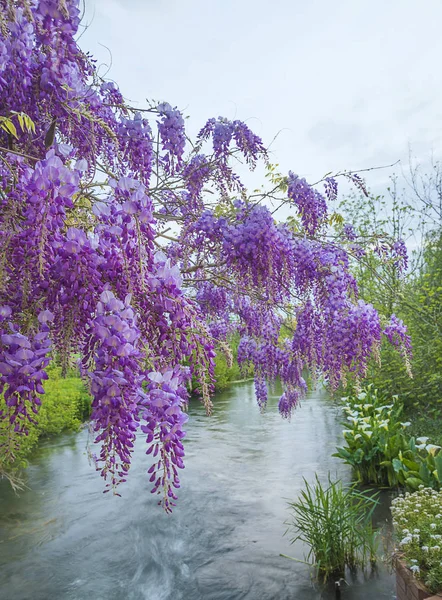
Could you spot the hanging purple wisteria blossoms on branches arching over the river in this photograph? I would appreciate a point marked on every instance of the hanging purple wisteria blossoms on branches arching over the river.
(122, 243)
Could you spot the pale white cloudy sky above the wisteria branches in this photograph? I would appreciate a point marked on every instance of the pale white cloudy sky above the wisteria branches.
(348, 84)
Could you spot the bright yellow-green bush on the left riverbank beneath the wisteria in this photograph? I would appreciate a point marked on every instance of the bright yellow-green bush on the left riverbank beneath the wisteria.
(66, 406)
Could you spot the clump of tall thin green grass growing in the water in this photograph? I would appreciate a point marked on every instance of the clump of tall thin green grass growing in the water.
(335, 522)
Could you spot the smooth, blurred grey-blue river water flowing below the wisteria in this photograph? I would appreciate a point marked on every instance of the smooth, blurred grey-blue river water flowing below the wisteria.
(63, 539)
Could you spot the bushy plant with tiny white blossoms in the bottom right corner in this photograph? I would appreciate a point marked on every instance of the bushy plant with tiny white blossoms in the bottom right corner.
(417, 522)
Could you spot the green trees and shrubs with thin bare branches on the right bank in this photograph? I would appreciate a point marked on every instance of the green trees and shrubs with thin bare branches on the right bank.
(416, 299)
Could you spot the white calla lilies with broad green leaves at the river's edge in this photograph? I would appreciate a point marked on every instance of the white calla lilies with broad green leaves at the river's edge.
(379, 448)
